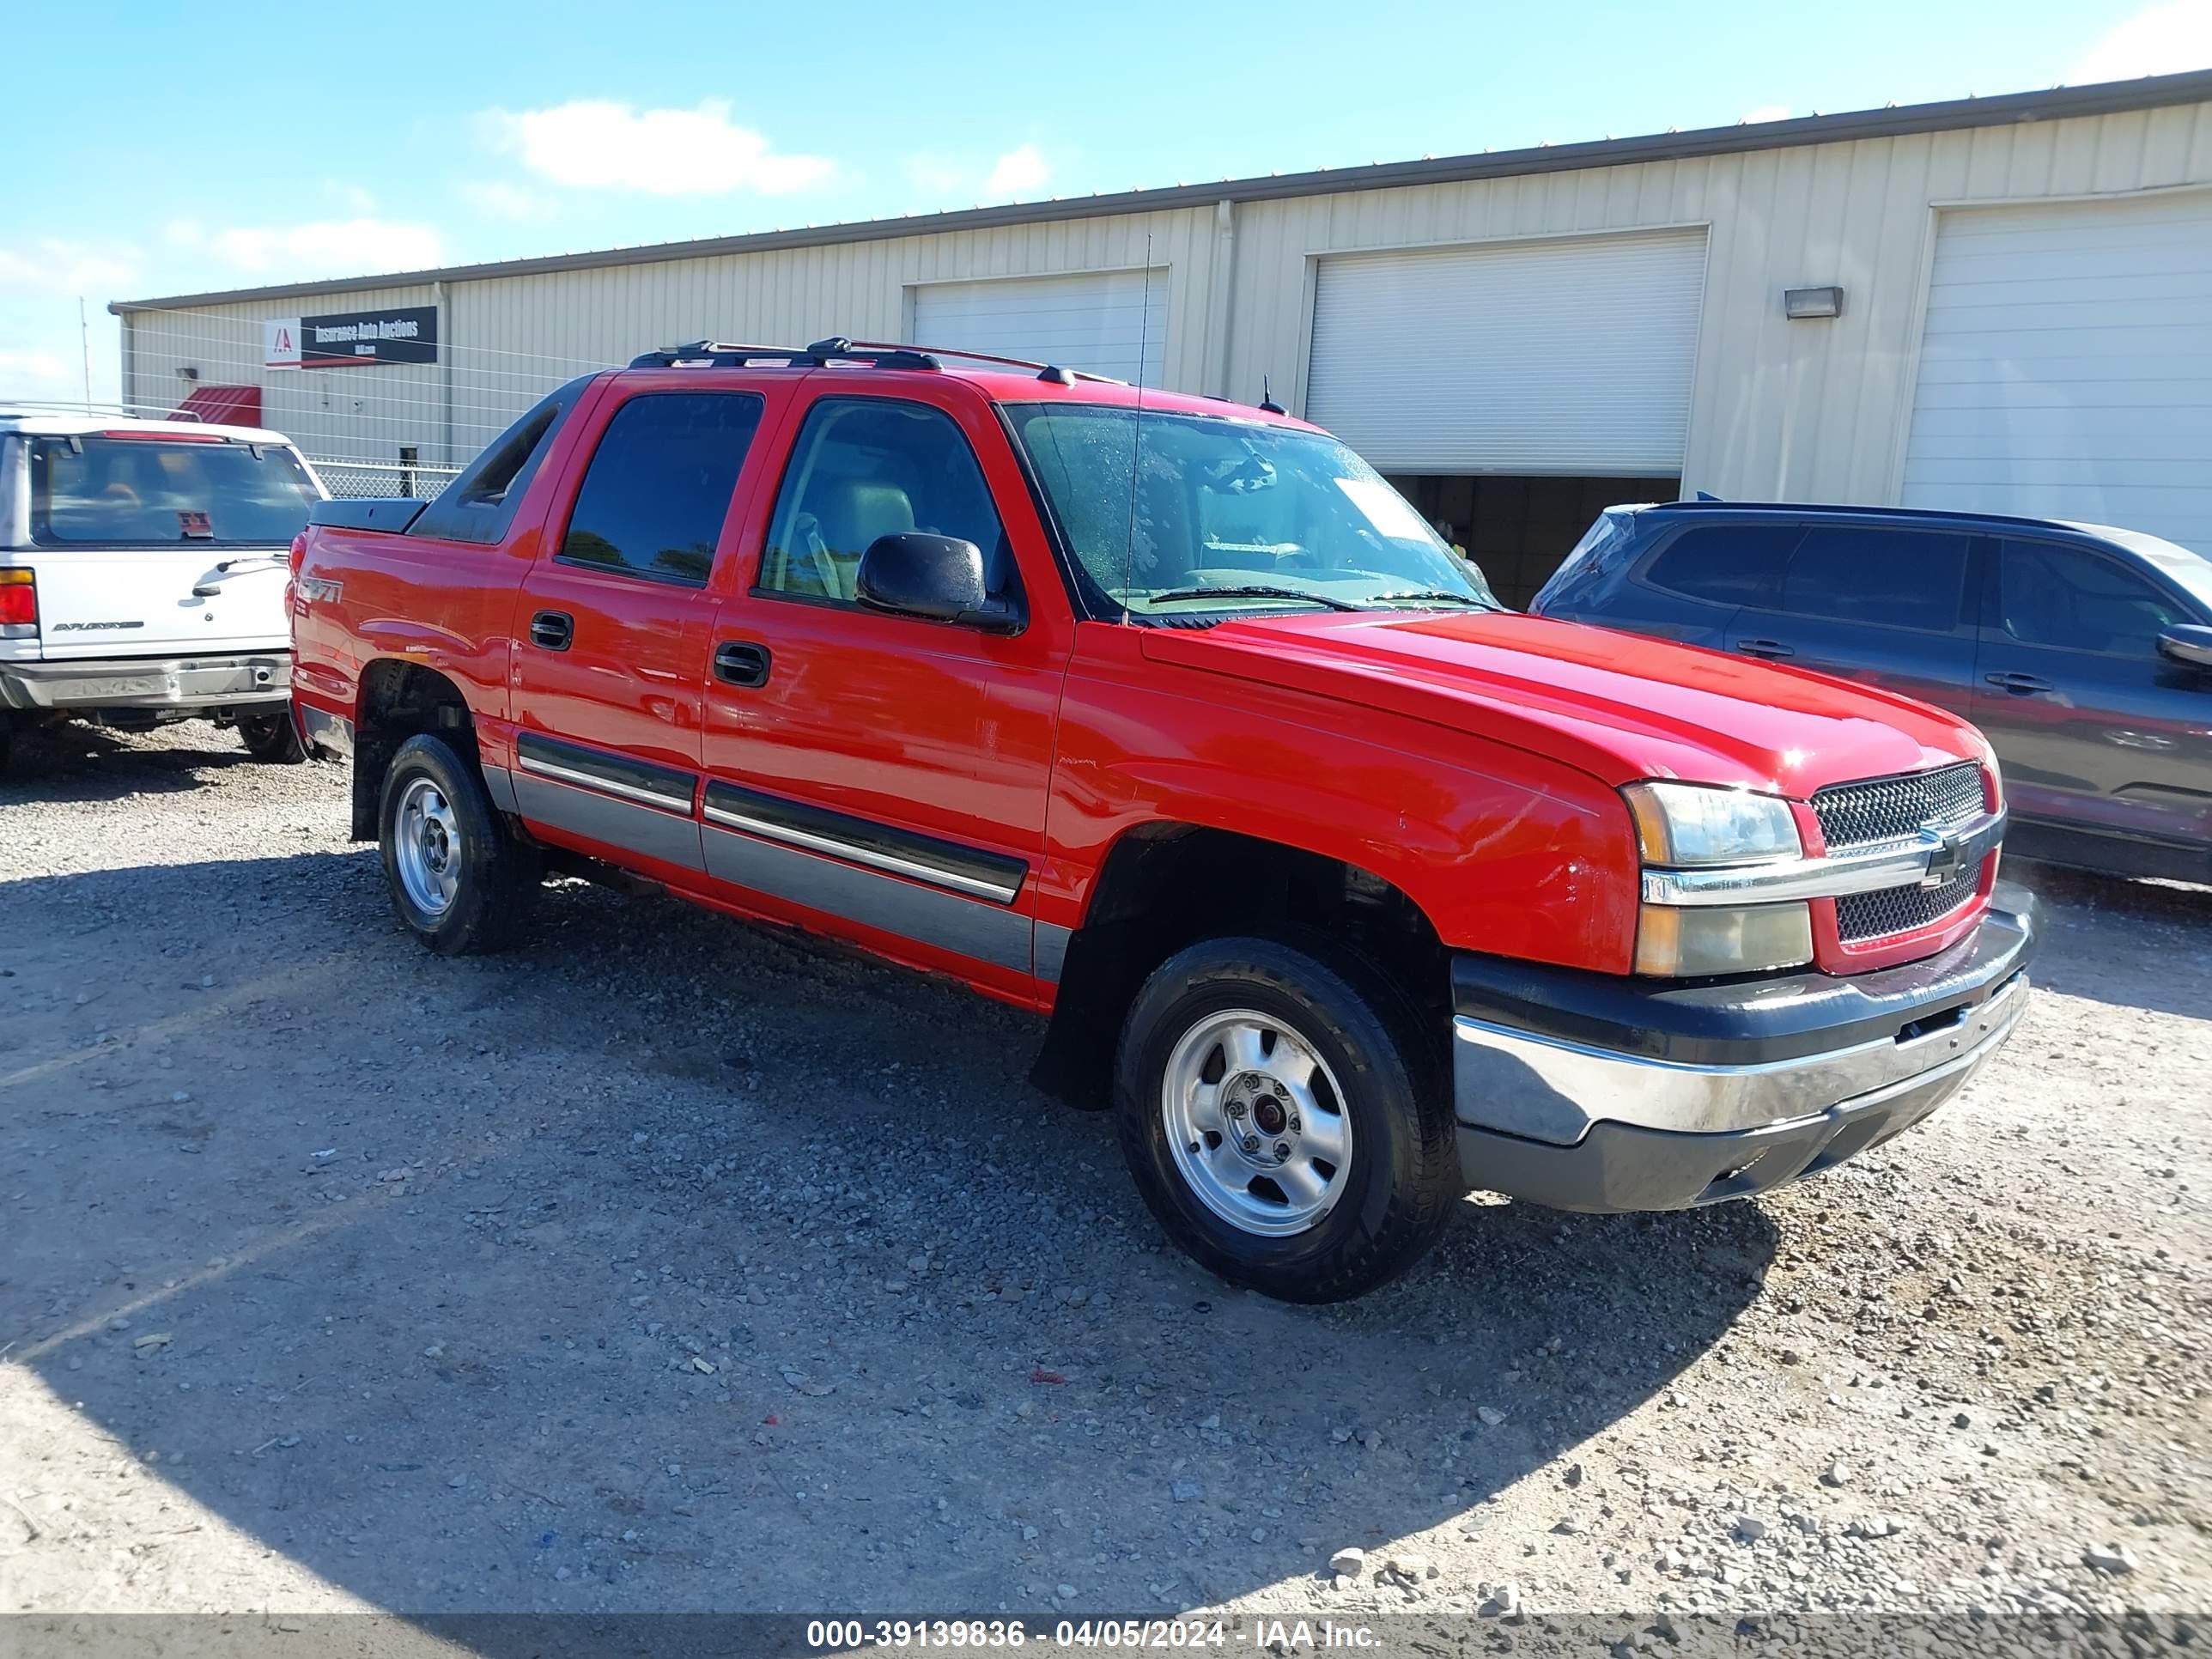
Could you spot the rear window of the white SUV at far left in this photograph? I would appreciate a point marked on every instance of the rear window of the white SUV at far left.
(152, 492)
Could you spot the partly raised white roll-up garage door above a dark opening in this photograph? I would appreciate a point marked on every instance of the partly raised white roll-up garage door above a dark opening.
(1527, 357)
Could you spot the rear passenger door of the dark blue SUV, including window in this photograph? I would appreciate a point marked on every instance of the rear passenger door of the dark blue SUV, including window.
(1886, 607)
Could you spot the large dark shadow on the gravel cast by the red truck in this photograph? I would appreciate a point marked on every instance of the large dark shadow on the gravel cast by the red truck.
(678, 1266)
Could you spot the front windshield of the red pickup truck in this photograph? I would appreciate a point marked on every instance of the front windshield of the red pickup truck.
(1220, 514)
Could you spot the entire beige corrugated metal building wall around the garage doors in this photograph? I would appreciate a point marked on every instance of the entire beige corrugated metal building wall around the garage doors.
(1795, 410)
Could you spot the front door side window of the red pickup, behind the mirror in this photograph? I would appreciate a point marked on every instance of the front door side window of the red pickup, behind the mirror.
(868, 468)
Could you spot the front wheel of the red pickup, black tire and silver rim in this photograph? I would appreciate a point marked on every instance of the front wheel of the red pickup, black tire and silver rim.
(1379, 1209)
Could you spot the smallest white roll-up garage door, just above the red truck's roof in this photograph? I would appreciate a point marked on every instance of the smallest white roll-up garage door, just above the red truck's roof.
(1103, 322)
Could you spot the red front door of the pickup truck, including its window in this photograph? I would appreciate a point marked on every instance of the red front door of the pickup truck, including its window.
(870, 775)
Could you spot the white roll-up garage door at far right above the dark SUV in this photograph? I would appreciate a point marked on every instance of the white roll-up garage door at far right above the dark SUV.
(2067, 366)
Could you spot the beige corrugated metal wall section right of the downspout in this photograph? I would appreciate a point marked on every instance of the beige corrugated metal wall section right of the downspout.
(1780, 410)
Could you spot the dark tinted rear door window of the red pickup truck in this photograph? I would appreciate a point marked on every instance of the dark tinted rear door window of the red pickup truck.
(660, 486)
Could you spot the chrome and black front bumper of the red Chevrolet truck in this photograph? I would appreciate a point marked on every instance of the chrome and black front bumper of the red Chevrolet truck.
(1603, 1094)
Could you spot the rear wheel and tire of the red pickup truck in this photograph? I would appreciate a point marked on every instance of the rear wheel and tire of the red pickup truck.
(452, 848)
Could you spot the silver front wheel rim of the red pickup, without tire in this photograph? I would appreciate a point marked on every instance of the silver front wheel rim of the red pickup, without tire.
(1258, 1125)
